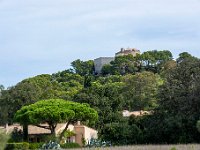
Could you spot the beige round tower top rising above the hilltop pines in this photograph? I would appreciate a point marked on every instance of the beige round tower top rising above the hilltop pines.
(127, 51)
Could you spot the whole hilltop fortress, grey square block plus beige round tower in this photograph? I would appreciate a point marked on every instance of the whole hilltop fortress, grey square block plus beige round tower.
(101, 61)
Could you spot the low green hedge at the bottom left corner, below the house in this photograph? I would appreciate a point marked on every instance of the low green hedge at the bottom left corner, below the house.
(17, 146)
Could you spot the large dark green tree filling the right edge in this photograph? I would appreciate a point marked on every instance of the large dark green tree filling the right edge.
(179, 103)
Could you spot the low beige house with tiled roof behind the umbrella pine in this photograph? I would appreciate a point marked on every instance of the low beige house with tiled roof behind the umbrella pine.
(36, 134)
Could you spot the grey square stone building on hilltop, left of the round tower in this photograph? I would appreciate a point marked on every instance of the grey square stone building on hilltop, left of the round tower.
(100, 62)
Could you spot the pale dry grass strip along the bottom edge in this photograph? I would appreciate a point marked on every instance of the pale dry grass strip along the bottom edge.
(150, 147)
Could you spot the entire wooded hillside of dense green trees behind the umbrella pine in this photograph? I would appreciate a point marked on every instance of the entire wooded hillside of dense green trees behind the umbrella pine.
(152, 81)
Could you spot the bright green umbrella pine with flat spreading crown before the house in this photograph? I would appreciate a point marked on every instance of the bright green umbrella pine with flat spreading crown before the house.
(54, 111)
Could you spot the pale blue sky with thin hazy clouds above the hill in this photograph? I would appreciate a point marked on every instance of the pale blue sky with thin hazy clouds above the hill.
(45, 36)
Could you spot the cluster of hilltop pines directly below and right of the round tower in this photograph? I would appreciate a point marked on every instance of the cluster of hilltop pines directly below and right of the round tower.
(148, 61)
